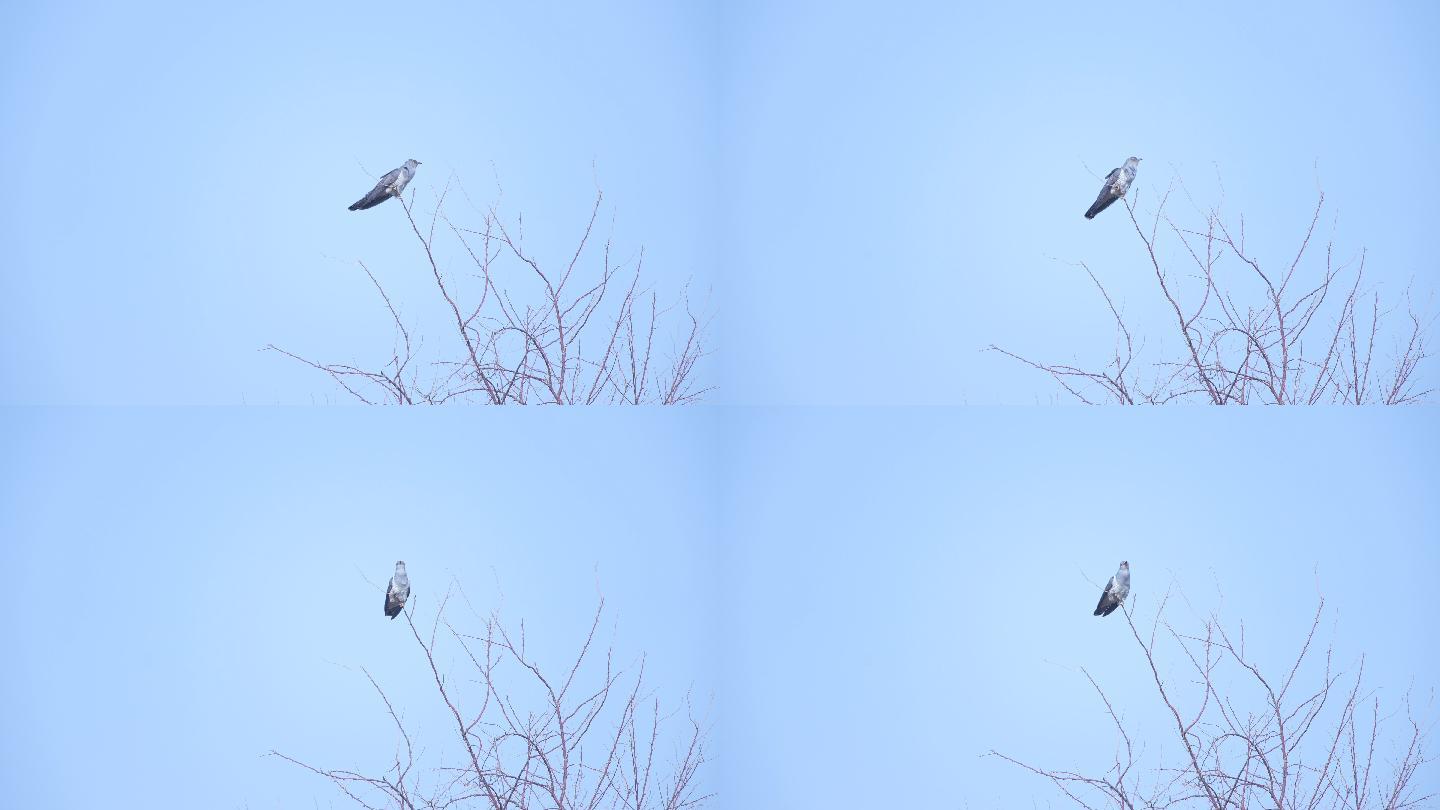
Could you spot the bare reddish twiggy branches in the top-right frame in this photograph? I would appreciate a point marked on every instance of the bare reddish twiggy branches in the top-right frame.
(1251, 329)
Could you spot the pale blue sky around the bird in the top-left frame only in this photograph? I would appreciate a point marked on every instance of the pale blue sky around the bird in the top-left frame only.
(179, 175)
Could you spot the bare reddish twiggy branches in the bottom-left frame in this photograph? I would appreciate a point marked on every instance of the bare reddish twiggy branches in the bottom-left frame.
(588, 737)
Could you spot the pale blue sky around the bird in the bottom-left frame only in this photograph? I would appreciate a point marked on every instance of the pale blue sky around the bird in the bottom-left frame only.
(189, 589)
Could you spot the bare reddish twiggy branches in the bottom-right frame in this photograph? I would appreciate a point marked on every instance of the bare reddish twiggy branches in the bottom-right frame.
(1251, 739)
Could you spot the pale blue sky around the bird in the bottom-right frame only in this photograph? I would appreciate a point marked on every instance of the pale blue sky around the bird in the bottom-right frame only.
(911, 590)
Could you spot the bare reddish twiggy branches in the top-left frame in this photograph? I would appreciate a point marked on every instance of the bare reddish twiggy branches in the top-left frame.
(522, 329)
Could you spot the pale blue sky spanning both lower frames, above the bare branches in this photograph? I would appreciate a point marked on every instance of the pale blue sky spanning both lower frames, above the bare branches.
(853, 593)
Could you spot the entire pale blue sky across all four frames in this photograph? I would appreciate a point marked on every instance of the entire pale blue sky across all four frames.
(872, 195)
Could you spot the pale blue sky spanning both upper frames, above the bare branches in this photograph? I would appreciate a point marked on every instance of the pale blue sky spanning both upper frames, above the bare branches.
(872, 194)
